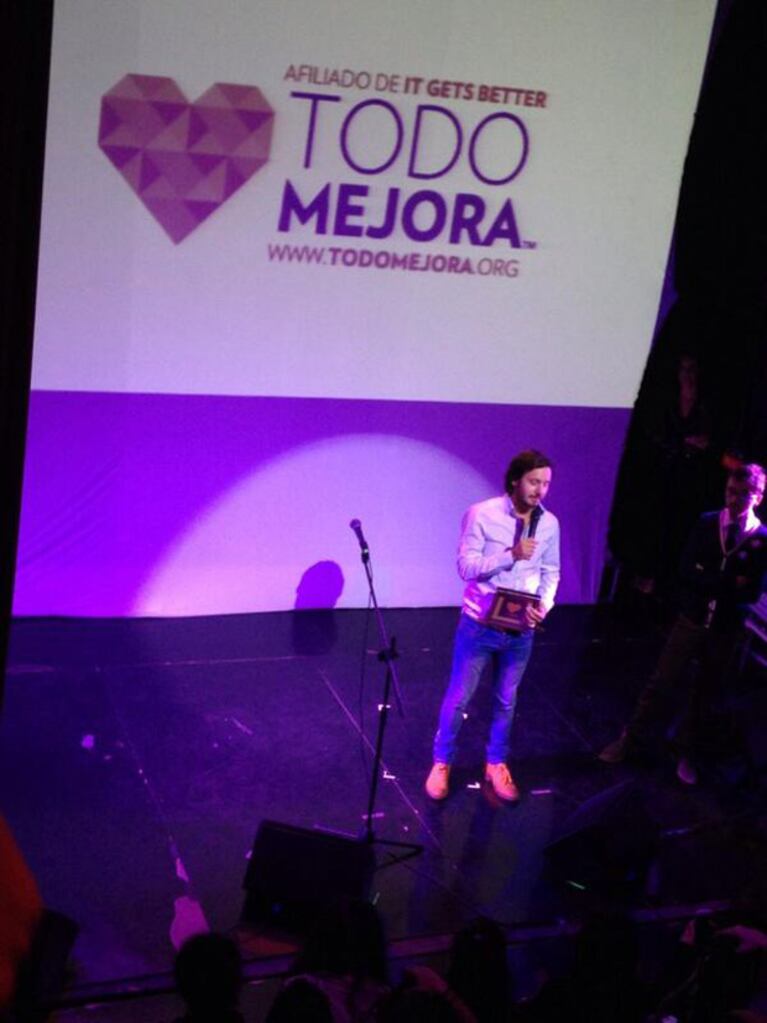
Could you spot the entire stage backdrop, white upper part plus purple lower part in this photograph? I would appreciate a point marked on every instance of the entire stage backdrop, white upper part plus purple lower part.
(303, 262)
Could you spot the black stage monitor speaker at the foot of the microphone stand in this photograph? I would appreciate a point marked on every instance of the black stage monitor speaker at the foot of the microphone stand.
(296, 873)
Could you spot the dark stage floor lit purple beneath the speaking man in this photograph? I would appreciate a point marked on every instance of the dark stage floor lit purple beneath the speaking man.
(140, 757)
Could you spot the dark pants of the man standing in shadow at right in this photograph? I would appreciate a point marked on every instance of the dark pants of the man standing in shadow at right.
(715, 653)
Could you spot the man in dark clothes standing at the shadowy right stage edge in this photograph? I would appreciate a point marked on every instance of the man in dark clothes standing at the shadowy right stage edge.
(723, 572)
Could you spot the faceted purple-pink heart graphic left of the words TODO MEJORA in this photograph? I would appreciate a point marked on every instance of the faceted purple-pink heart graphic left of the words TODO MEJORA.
(185, 160)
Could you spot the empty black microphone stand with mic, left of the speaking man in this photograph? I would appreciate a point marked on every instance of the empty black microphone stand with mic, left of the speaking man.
(387, 655)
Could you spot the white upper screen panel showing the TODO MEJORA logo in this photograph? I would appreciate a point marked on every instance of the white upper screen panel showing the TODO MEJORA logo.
(414, 201)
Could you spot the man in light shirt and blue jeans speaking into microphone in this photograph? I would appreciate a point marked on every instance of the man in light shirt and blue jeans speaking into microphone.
(512, 543)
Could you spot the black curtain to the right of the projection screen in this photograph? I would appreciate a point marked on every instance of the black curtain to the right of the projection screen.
(673, 468)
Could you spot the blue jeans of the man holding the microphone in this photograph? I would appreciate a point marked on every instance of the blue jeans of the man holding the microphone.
(476, 646)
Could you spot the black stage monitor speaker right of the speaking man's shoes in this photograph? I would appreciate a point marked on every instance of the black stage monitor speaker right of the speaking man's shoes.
(607, 846)
